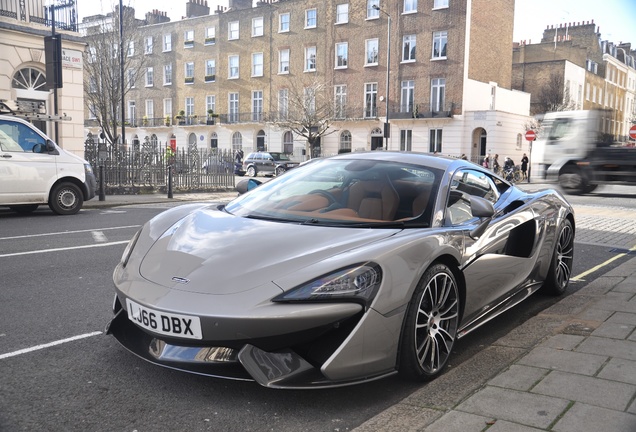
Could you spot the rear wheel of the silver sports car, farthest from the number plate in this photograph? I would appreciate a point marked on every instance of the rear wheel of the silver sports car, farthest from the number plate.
(558, 276)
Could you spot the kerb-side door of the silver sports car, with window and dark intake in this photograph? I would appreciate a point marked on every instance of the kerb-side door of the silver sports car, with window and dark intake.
(499, 260)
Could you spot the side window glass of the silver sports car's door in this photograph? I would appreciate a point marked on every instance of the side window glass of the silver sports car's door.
(467, 183)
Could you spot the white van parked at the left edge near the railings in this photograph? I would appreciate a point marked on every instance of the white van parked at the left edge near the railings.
(35, 171)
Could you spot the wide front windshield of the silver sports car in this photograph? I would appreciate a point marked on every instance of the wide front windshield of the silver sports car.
(345, 192)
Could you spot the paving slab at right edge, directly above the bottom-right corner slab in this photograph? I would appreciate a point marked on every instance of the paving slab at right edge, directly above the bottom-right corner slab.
(590, 390)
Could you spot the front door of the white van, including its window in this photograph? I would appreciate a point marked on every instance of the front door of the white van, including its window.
(26, 169)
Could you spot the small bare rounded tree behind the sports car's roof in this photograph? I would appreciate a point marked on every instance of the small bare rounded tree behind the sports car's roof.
(308, 112)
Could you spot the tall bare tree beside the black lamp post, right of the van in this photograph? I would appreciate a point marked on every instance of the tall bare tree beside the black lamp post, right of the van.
(102, 69)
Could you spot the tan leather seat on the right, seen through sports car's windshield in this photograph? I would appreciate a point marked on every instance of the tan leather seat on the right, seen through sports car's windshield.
(374, 199)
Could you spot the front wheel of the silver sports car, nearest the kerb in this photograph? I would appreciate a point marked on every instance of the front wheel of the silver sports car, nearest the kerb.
(430, 325)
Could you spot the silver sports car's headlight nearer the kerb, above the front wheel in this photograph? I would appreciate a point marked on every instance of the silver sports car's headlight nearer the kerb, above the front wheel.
(359, 283)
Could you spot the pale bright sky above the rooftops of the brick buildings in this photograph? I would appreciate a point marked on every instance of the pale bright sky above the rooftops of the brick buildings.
(616, 18)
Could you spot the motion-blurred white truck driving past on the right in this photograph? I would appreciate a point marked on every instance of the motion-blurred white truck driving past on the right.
(572, 150)
